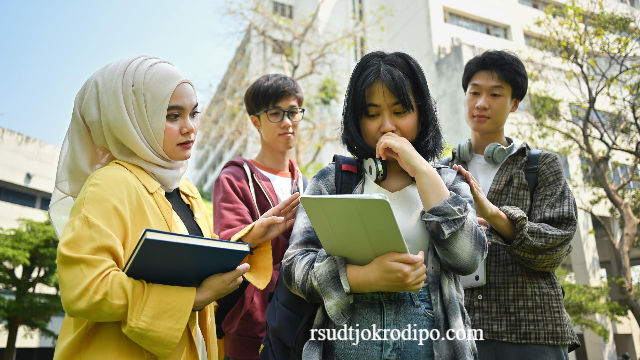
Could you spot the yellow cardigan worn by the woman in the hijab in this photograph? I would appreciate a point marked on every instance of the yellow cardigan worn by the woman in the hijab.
(112, 316)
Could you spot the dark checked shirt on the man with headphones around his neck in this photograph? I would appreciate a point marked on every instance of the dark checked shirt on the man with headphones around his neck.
(522, 300)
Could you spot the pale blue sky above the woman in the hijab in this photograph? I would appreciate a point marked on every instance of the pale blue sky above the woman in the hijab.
(48, 49)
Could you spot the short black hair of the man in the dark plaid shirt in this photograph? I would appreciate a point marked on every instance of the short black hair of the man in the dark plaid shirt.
(506, 65)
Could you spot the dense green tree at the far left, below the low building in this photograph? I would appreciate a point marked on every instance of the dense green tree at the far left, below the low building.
(27, 262)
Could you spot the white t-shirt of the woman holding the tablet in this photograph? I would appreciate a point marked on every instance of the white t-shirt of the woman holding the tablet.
(406, 206)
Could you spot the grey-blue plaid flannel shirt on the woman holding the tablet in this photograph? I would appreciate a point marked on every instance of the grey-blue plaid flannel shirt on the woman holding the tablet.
(457, 246)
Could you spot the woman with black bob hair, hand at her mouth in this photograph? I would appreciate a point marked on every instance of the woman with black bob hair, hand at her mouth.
(389, 307)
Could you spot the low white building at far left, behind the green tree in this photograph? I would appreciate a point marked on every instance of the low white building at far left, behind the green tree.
(27, 176)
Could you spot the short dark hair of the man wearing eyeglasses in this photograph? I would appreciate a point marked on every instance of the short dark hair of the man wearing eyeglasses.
(268, 90)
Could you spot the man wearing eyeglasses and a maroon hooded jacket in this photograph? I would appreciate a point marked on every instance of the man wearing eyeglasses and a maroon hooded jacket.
(246, 189)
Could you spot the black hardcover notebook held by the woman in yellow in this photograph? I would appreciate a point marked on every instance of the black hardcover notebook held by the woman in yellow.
(182, 260)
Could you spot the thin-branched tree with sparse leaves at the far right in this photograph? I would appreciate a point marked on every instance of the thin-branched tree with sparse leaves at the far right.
(594, 55)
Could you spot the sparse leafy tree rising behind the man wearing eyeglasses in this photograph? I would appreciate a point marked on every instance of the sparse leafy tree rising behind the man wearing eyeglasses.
(312, 54)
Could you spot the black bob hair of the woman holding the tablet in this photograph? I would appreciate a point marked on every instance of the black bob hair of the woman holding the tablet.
(403, 76)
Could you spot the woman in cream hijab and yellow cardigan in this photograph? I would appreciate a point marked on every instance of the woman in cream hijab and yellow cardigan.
(120, 171)
